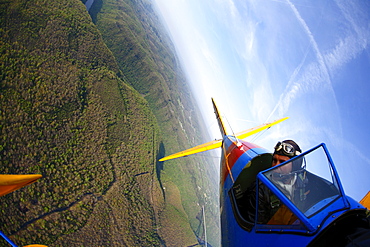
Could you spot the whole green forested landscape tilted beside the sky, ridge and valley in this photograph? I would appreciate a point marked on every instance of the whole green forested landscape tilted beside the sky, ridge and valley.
(91, 103)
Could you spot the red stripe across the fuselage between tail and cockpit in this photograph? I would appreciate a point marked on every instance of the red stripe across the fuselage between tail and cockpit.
(232, 154)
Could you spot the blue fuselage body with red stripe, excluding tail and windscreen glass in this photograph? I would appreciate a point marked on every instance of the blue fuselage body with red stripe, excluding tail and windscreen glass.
(237, 157)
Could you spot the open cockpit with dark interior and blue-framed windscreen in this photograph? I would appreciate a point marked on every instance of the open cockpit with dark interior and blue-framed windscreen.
(295, 196)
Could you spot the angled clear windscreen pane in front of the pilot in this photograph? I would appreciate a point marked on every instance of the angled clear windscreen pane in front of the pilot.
(307, 181)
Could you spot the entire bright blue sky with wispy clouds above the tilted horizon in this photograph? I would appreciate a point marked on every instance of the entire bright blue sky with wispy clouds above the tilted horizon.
(263, 60)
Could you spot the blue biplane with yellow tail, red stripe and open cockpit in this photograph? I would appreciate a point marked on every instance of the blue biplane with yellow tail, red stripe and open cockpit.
(321, 214)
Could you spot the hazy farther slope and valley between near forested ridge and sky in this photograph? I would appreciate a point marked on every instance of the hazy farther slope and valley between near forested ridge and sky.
(144, 53)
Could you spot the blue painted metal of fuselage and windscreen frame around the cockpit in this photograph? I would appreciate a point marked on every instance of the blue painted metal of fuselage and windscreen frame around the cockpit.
(274, 235)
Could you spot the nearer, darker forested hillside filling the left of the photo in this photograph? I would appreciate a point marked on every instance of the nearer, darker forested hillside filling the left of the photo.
(66, 113)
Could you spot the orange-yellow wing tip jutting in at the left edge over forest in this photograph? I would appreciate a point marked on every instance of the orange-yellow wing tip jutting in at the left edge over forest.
(9, 183)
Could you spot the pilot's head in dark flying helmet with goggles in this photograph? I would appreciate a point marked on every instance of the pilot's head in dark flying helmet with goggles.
(284, 151)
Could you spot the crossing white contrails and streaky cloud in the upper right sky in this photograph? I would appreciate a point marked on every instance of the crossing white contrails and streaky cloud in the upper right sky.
(314, 76)
